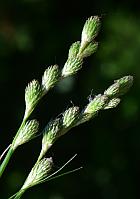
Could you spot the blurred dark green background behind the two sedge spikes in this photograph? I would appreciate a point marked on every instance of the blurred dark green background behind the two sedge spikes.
(37, 33)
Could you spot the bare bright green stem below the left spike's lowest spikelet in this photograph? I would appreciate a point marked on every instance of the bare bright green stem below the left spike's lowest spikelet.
(6, 160)
